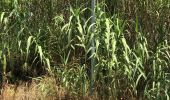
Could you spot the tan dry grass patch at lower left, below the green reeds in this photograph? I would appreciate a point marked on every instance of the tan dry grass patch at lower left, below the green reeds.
(39, 89)
